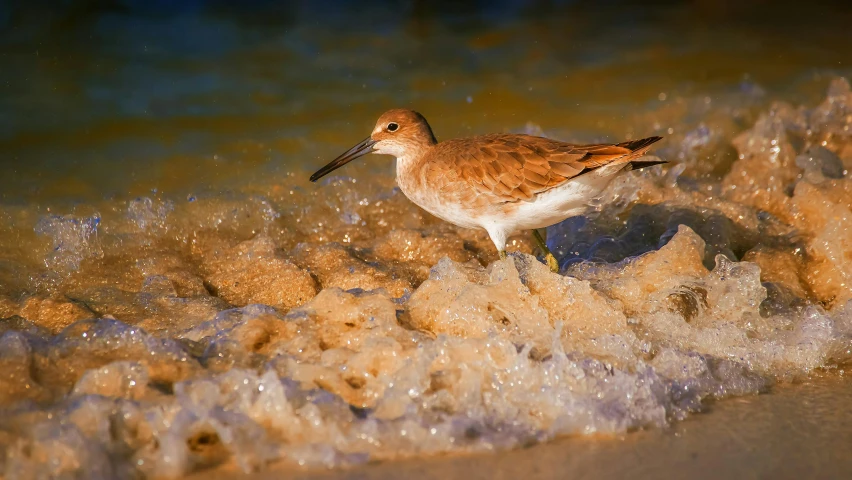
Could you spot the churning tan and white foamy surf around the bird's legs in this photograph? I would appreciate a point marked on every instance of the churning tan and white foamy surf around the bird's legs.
(323, 328)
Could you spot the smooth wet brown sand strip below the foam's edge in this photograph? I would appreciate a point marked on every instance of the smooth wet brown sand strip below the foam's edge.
(797, 431)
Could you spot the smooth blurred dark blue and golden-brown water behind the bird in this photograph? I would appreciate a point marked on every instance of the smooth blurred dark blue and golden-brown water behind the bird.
(116, 98)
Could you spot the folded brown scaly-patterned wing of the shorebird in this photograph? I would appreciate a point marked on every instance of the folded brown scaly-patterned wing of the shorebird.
(517, 167)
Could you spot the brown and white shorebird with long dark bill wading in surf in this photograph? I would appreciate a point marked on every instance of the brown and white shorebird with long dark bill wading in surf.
(501, 183)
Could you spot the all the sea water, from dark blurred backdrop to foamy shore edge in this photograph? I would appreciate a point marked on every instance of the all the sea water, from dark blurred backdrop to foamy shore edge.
(175, 295)
